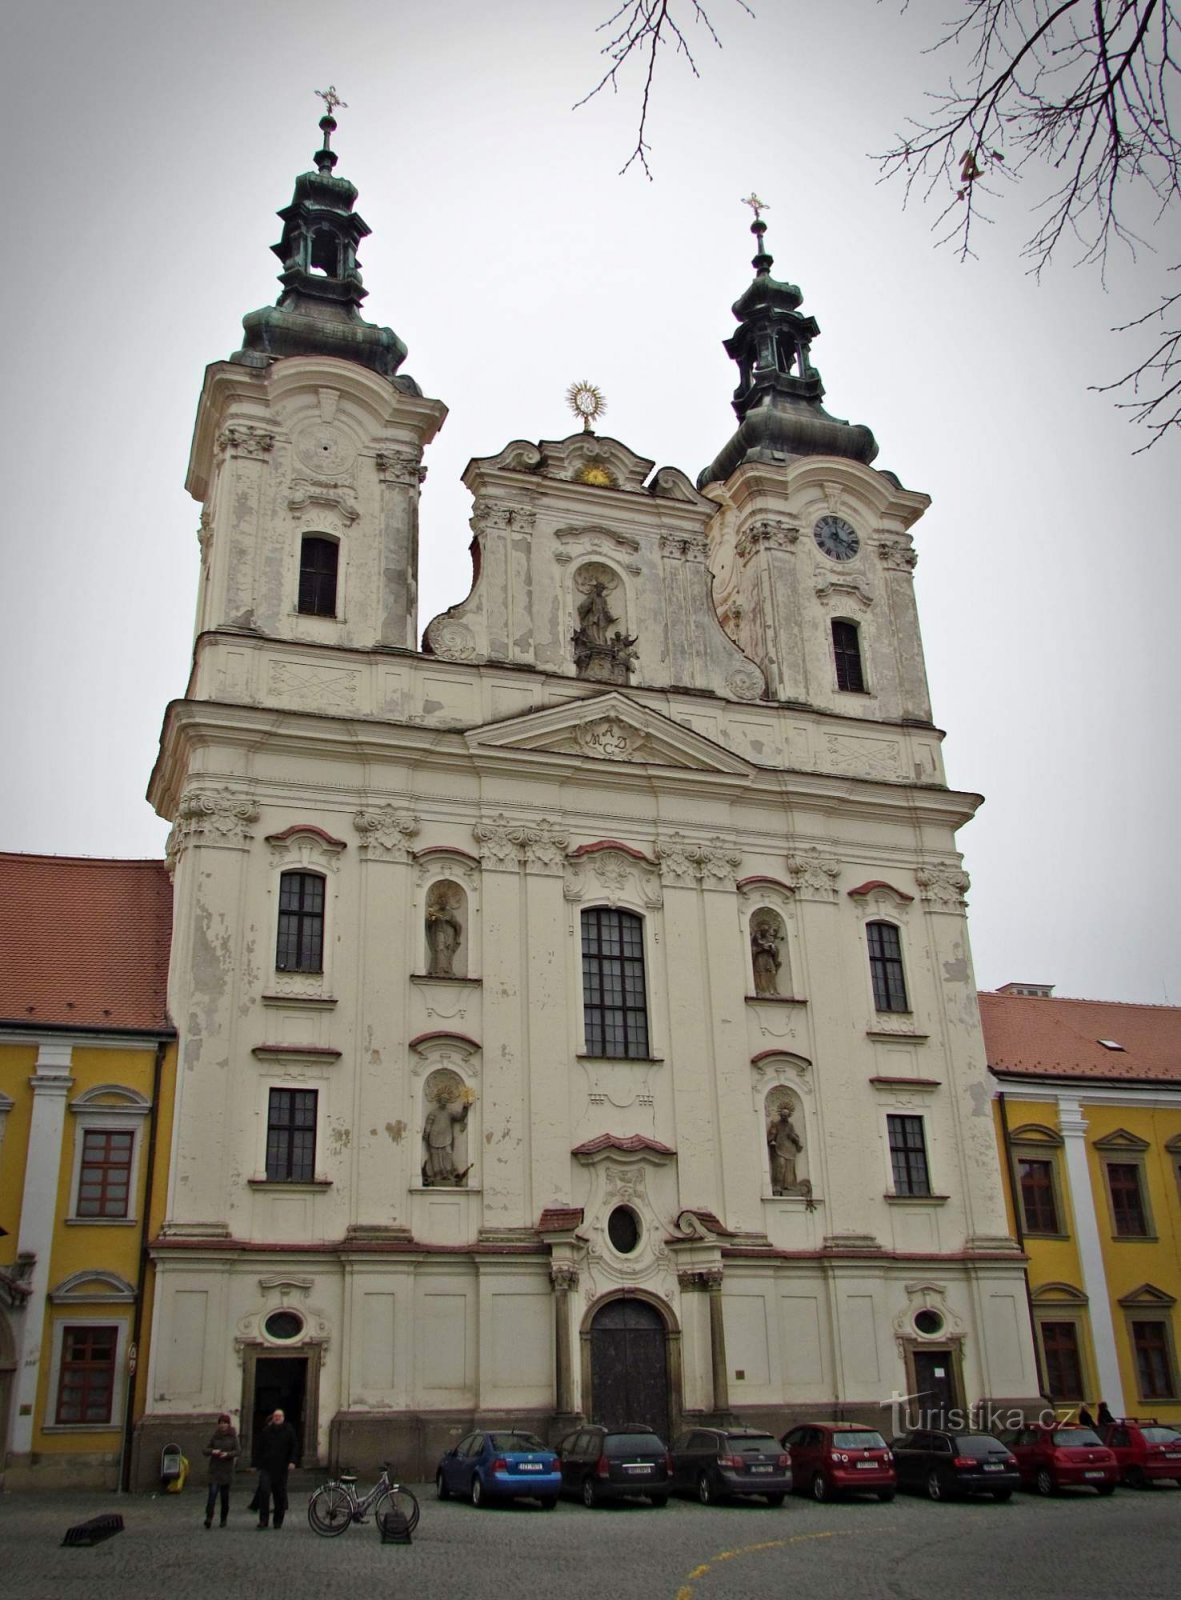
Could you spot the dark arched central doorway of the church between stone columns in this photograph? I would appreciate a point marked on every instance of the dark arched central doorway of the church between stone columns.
(630, 1366)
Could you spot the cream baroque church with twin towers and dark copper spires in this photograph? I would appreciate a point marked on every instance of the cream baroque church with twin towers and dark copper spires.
(575, 1012)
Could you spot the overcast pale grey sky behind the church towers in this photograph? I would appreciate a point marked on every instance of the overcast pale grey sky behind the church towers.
(153, 146)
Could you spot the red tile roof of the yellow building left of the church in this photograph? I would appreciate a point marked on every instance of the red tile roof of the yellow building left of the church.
(84, 943)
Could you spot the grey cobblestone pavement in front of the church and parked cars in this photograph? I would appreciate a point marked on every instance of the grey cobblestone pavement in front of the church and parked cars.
(1076, 1546)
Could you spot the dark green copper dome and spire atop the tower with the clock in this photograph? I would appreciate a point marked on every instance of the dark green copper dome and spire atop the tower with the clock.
(779, 398)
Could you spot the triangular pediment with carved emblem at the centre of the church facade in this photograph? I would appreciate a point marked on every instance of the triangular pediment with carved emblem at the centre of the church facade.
(609, 729)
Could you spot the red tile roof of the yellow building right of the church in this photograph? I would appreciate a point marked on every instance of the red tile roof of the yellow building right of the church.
(1062, 1039)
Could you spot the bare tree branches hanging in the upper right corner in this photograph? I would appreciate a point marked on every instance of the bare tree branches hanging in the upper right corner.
(1079, 97)
